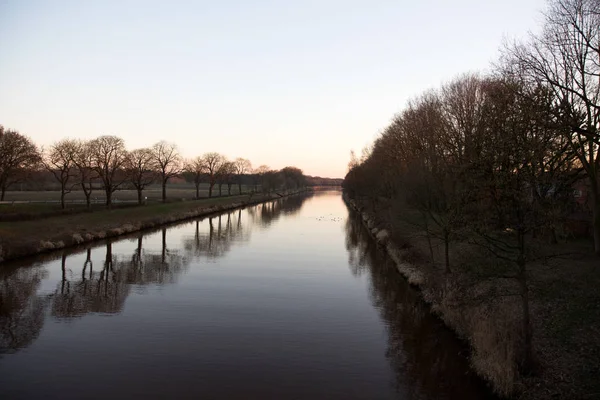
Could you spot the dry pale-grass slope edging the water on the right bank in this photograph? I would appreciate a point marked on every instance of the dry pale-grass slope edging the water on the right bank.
(491, 349)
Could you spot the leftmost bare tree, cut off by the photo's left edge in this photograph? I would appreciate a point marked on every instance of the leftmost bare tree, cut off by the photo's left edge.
(18, 154)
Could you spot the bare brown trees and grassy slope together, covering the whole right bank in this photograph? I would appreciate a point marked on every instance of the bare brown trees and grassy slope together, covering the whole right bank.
(489, 188)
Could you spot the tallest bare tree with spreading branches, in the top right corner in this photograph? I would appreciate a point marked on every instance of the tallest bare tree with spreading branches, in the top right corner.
(565, 58)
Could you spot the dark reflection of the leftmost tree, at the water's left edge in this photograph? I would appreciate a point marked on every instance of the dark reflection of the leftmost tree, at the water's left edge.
(21, 310)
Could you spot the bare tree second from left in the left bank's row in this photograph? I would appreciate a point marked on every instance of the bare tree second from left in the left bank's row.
(60, 161)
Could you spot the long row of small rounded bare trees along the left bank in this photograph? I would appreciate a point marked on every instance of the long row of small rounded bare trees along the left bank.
(105, 162)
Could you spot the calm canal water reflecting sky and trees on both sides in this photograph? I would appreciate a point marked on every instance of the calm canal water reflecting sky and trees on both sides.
(284, 300)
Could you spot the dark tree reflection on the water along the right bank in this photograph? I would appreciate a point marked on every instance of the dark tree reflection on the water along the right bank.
(427, 359)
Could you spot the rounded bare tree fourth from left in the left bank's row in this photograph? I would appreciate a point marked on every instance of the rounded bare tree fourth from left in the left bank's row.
(108, 156)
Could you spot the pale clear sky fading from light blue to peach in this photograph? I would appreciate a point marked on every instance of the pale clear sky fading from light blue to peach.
(278, 82)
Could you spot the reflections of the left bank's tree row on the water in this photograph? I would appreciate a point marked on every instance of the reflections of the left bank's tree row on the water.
(91, 288)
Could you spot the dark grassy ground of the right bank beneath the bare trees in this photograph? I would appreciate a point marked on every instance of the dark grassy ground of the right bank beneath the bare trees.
(565, 307)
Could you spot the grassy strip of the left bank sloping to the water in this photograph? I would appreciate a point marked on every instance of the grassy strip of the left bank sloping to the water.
(25, 238)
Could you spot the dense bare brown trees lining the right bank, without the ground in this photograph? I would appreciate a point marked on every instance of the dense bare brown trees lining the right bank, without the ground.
(493, 159)
